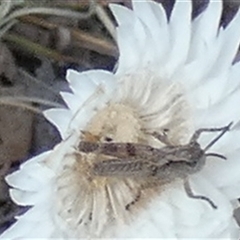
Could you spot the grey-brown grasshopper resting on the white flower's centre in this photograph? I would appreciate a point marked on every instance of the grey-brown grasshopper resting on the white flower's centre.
(164, 164)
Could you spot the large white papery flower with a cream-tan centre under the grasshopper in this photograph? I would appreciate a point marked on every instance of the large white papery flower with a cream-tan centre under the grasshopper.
(177, 75)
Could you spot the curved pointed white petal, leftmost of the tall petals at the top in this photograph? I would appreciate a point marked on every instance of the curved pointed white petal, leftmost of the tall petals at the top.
(132, 40)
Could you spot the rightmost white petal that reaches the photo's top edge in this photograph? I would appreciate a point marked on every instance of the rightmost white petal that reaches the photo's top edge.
(205, 46)
